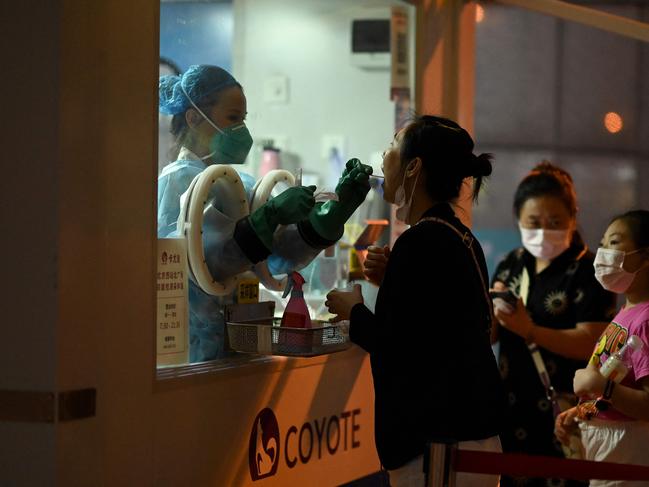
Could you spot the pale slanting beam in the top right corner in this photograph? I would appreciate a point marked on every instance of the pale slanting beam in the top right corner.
(587, 16)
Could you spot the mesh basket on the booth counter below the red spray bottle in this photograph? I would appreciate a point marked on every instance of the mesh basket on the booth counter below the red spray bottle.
(272, 339)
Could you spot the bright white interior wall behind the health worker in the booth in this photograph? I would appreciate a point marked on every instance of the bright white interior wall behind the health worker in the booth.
(310, 44)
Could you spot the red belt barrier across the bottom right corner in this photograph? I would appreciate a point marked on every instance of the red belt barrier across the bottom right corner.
(519, 465)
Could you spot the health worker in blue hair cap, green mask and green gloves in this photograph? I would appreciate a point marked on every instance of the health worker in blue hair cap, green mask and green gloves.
(208, 106)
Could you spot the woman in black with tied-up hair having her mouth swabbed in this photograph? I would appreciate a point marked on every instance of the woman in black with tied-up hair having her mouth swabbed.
(435, 376)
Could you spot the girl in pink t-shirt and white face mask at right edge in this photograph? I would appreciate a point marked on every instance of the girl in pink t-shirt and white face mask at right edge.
(614, 419)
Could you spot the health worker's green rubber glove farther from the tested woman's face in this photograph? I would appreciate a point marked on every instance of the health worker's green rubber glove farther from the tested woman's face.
(290, 206)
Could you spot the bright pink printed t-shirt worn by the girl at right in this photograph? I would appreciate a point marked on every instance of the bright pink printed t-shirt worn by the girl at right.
(628, 322)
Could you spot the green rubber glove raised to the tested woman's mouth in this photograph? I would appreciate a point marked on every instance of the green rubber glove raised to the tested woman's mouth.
(328, 219)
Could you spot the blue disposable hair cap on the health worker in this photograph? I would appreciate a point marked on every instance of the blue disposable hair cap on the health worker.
(198, 81)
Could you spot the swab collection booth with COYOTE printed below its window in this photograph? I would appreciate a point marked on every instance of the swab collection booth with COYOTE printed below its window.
(96, 385)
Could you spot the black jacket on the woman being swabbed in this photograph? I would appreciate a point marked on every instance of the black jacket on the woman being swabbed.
(435, 375)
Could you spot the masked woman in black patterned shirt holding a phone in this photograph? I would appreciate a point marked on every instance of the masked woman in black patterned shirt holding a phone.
(560, 307)
